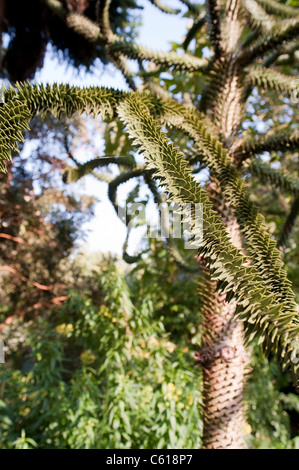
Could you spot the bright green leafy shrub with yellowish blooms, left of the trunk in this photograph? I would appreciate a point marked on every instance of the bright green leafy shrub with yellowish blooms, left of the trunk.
(103, 375)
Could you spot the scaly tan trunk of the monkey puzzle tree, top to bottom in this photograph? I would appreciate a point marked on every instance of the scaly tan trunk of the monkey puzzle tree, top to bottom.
(223, 356)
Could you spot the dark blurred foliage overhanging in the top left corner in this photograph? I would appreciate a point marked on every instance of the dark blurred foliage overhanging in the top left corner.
(30, 26)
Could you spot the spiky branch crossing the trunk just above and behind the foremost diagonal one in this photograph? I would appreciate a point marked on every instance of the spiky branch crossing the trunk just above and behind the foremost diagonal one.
(260, 247)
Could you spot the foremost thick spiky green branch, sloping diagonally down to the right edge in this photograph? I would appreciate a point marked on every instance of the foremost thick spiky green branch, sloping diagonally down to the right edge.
(262, 310)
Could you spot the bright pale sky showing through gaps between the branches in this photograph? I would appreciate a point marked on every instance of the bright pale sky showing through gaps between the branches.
(107, 233)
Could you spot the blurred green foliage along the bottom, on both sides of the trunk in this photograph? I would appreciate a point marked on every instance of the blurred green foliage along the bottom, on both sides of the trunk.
(113, 367)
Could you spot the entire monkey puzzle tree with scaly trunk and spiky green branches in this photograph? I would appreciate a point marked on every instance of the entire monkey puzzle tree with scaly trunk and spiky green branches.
(244, 290)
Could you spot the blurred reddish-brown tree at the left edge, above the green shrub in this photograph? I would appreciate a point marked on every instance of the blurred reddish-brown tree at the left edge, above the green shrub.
(40, 222)
